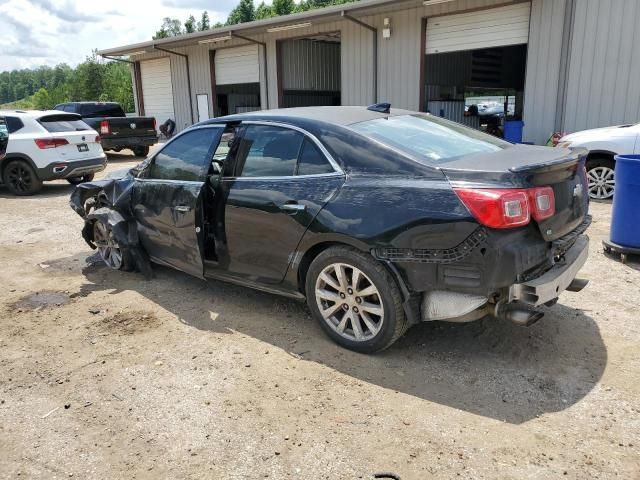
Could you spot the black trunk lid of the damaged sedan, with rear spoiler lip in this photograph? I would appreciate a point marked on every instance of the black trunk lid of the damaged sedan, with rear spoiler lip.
(523, 166)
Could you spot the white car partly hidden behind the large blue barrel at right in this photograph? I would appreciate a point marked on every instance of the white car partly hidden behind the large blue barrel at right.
(603, 144)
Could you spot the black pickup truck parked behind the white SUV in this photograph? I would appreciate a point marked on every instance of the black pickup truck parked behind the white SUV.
(117, 131)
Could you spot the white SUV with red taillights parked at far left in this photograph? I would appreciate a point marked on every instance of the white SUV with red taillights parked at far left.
(48, 145)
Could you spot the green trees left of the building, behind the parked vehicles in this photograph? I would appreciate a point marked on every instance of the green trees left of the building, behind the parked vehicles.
(45, 87)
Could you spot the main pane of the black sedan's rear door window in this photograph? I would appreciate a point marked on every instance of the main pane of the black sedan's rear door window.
(267, 151)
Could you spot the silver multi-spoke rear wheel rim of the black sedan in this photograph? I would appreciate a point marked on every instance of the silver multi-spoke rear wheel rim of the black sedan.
(349, 302)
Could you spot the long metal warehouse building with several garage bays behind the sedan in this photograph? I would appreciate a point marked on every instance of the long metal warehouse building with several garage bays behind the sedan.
(568, 64)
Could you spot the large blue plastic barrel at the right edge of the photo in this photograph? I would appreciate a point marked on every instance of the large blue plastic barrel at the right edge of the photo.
(625, 217)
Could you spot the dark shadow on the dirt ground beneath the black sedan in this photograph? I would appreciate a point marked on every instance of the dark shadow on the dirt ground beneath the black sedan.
(490, 367)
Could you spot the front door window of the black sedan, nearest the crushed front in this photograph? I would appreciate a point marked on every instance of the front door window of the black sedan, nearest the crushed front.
(186, 158)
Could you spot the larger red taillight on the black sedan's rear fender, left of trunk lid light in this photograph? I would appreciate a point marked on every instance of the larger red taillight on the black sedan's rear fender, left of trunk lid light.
(497, 208)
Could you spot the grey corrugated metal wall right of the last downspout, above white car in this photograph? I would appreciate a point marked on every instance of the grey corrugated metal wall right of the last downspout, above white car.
(603, 84)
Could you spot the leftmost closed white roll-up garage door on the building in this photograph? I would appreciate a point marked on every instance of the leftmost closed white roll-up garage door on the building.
(157, 90)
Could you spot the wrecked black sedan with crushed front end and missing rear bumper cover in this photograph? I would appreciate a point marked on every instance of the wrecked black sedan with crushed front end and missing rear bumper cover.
(380, 218)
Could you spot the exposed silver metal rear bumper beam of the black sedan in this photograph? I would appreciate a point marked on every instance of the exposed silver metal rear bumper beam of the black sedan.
(549, 285)
